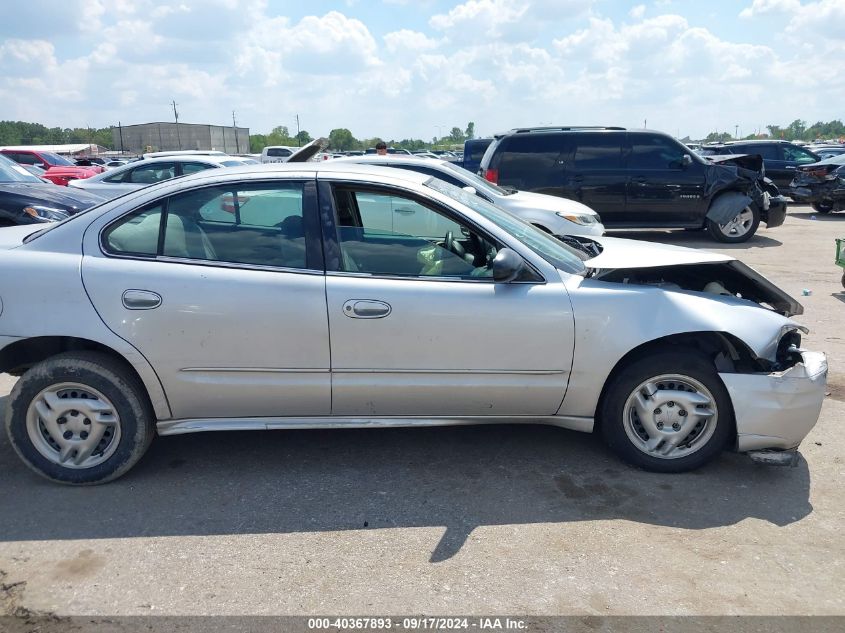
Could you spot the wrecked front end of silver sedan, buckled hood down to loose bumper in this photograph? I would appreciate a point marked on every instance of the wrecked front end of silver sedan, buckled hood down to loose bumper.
(776, 387)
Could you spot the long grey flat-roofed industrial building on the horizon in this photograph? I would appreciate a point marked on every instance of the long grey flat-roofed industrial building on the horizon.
(162, 137)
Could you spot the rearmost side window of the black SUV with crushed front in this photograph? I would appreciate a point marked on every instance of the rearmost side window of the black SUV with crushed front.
(531, 161)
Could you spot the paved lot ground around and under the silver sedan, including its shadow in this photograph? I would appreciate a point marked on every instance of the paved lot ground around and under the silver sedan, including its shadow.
(464, 520)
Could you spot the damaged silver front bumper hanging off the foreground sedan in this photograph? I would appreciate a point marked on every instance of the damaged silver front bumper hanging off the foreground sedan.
(776, 411)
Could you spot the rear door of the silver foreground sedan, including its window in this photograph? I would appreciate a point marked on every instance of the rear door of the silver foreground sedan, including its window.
(222, 289)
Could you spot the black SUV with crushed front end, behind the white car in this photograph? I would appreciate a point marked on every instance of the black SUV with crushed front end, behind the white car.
(637, 179)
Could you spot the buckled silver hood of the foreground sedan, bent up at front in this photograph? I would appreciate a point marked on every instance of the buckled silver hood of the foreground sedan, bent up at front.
(632, 261)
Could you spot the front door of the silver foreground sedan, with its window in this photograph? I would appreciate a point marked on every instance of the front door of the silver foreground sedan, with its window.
(419, 327)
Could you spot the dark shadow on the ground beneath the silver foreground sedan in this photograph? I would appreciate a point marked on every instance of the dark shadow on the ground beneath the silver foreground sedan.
(459, 478)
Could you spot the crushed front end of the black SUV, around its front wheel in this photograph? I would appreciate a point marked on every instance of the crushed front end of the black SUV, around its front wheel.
(741, 179)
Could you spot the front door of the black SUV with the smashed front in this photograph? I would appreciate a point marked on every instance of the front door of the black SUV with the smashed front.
(662, 191)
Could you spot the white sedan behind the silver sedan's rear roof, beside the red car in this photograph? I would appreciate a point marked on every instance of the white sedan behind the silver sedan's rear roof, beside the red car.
(143, 173)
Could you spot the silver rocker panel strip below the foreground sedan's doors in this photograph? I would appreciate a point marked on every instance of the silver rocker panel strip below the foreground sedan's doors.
(197, 425)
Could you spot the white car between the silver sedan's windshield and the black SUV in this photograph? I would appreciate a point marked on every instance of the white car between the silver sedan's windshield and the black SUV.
(558, 216)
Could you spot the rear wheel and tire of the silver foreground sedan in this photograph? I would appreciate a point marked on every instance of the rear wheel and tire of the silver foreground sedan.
(61, 406)
